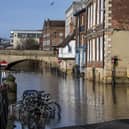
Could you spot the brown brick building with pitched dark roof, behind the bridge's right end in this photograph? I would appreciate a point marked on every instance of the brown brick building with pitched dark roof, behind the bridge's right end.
(53, 33)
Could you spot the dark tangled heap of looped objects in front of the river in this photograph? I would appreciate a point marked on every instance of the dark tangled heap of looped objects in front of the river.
(37, 108)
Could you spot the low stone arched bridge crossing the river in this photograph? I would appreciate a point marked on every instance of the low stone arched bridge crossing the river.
(14, 56)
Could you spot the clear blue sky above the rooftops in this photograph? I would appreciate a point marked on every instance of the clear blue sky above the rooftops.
(29, 14)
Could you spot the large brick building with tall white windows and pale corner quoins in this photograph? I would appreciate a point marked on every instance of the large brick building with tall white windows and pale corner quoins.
(106, 36)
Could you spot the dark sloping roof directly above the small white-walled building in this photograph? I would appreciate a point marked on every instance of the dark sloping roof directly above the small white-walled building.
(67, 40)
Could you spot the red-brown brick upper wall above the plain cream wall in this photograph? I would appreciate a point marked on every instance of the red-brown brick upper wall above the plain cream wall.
(120, 14)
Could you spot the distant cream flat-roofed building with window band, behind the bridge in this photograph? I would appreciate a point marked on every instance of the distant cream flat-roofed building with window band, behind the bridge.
(17, 36)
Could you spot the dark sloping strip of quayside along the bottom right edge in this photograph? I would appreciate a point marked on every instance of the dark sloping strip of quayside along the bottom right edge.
(115, 124)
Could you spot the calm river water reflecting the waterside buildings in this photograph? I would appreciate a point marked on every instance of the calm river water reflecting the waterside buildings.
(81, 101)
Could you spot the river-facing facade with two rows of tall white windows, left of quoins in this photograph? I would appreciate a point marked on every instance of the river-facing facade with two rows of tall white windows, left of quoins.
(95, 33)
